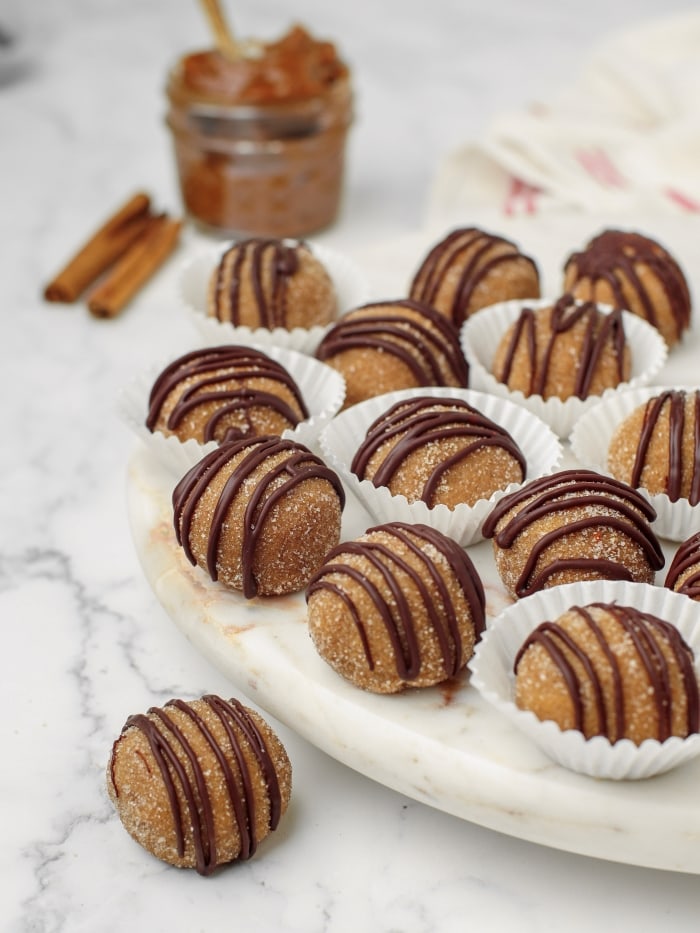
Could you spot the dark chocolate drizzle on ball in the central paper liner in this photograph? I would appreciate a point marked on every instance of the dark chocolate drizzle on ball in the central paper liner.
(423, 421)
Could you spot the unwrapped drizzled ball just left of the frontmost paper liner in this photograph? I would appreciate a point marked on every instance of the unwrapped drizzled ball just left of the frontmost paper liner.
(402, 606)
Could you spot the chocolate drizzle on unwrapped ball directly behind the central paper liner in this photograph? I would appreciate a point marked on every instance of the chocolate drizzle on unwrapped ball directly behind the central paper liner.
(424, 340)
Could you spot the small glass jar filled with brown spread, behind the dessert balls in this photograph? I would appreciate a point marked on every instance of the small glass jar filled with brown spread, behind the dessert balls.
(262, 167)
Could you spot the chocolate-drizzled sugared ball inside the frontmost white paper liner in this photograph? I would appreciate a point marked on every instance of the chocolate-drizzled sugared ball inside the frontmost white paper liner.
(609, 670)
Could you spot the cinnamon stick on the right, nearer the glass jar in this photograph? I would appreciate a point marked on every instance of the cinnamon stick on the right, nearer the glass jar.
(135, 267)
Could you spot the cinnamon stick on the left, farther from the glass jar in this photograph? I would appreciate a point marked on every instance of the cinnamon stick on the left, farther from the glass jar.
(104, 247)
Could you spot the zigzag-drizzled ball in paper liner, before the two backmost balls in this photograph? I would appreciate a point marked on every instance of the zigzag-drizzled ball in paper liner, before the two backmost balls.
(567, 349)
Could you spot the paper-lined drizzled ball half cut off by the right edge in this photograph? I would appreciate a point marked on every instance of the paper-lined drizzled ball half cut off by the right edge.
(657, 446)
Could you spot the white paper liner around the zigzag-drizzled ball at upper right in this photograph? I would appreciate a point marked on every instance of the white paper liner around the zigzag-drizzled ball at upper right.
(481, 334)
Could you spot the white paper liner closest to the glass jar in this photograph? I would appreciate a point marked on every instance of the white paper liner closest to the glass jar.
(350, 285)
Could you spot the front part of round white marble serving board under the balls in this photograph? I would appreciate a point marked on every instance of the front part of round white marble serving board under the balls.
(444, 746)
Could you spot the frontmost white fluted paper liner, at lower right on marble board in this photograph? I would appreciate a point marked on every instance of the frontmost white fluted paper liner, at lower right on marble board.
(492, 675)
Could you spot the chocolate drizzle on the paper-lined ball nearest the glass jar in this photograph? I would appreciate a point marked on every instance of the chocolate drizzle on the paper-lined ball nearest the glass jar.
(269, 264)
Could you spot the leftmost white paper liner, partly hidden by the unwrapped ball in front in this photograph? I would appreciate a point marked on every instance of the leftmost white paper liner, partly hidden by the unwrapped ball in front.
(321, 387)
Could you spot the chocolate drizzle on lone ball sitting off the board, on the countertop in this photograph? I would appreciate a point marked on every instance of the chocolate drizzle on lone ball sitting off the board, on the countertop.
(187, 783)
